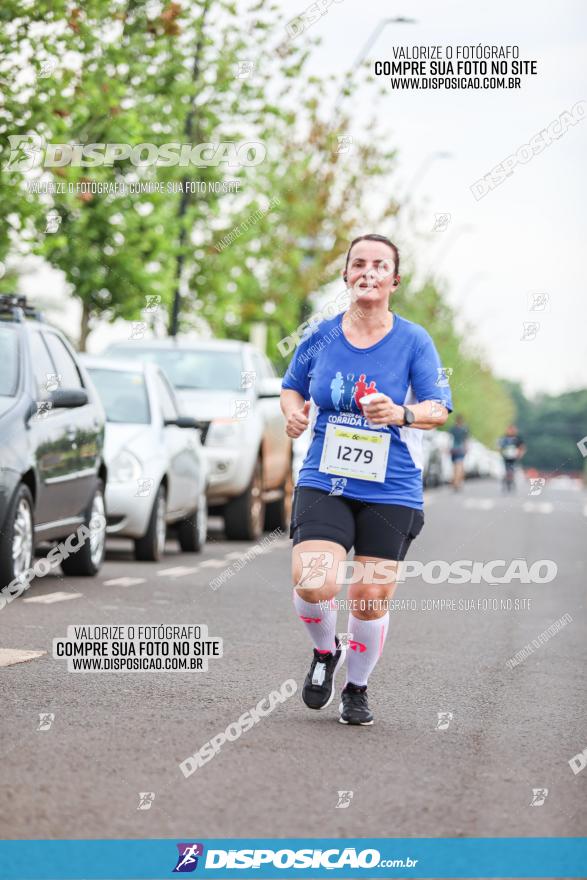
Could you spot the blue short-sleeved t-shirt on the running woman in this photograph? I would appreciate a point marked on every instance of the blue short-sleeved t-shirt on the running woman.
(404, 365)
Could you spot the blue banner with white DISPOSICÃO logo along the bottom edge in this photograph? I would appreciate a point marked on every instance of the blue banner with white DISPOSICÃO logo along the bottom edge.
(503, 857)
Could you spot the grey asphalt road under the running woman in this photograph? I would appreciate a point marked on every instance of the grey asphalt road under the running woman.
(117, 734)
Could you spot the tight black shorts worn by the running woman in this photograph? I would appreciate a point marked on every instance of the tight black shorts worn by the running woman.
(382, 530)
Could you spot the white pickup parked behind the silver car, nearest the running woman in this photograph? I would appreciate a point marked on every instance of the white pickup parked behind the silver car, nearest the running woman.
(233, 391)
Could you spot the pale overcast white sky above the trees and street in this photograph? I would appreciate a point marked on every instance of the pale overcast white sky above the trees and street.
(524, 238)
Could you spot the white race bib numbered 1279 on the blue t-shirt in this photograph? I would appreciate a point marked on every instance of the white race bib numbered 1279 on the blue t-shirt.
(350, 452)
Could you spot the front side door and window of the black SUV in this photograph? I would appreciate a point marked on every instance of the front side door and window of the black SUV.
(55, 446)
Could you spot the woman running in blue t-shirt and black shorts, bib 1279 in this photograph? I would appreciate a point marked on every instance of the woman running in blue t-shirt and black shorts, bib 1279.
(376, 382)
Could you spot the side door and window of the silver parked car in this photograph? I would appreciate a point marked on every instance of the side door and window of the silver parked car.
(182, 493)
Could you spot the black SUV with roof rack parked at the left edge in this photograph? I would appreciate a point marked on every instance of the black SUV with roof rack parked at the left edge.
(52, 474)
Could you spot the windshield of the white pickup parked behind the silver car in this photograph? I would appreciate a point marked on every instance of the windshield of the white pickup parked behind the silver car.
(192, 369)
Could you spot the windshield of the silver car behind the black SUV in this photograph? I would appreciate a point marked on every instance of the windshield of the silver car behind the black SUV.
(123, 394)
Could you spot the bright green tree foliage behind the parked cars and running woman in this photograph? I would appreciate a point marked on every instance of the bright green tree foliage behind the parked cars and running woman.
(137, 73)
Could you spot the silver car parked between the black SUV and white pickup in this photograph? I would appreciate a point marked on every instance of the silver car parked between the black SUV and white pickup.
(157, 472)
